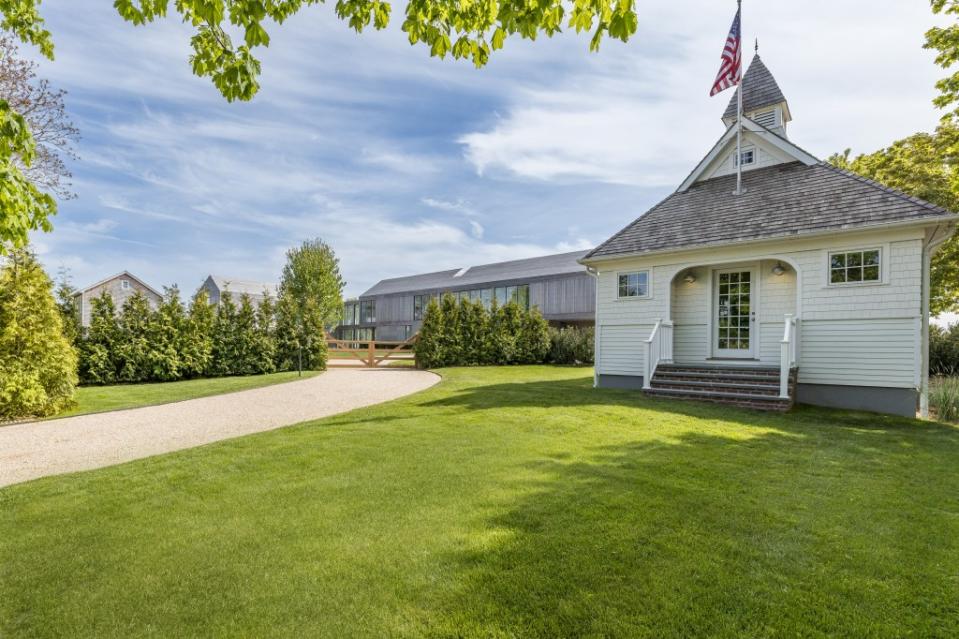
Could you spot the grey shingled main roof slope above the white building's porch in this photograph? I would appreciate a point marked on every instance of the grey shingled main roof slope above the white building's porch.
(786, 200)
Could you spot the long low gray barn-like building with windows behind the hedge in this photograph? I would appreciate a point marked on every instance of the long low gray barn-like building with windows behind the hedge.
(393, 309)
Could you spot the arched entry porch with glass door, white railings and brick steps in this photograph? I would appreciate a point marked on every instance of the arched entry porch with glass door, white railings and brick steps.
(732, 335)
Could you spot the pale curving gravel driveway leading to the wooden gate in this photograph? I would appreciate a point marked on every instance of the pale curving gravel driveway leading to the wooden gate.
(36, 449)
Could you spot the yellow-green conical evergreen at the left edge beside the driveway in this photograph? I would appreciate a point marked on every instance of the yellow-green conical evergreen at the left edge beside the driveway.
(38, 365)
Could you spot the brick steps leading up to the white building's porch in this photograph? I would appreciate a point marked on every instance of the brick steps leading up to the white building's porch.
(739, 386)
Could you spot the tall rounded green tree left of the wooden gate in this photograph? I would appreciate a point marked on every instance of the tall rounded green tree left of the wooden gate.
(311, 290)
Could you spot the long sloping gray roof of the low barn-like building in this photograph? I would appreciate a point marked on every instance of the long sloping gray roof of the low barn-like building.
(531, 268)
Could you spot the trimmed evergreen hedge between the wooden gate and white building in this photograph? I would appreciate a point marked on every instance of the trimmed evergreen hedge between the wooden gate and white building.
(465, 333)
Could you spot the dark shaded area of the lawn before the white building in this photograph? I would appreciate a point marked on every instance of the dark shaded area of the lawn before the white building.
(816, 522)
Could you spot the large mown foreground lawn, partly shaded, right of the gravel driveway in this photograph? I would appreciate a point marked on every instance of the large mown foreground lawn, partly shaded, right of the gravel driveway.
(504, 502)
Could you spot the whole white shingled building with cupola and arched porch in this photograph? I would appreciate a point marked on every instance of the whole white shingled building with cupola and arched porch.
(812, 285)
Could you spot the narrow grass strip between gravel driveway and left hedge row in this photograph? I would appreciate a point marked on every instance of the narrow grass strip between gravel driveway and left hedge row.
(96, 399)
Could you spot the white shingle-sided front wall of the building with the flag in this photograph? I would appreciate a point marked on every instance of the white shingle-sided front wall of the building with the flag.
(856, 335)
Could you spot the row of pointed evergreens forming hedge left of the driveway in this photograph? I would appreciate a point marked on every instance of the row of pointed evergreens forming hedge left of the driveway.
(169, 343)
